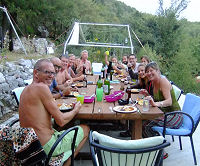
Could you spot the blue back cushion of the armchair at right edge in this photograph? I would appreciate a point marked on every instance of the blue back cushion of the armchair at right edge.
(192, 107)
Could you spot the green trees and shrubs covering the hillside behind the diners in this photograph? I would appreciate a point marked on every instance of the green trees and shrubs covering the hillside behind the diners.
(173, 43)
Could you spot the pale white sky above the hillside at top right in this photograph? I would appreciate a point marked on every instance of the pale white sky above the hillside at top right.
(191, 13)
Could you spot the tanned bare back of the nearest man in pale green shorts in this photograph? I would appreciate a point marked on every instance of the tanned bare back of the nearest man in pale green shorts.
(36, 116)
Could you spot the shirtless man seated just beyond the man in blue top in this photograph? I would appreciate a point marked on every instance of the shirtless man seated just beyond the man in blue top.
(63, 77)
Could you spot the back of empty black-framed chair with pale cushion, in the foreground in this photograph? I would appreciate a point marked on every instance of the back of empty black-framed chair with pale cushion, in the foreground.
(108, 151)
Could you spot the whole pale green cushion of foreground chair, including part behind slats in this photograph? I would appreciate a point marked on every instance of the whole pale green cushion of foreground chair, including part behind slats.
(113, 159)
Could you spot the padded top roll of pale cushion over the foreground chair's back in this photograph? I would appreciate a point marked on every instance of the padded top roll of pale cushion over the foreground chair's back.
(127, 144)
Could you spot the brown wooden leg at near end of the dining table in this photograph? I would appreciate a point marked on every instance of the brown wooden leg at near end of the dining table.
(136, 129)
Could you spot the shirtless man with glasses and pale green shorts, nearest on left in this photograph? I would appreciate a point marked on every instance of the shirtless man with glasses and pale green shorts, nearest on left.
(37, 107)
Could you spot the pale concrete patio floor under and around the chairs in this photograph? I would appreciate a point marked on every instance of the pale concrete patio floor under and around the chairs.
(176, 156)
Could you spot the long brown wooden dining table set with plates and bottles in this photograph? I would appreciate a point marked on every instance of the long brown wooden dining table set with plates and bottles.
(103, 110)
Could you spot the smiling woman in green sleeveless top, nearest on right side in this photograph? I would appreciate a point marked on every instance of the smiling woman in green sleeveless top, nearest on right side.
(164, 98)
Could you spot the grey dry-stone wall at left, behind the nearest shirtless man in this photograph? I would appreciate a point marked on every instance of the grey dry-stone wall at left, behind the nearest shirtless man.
(12, 75)
